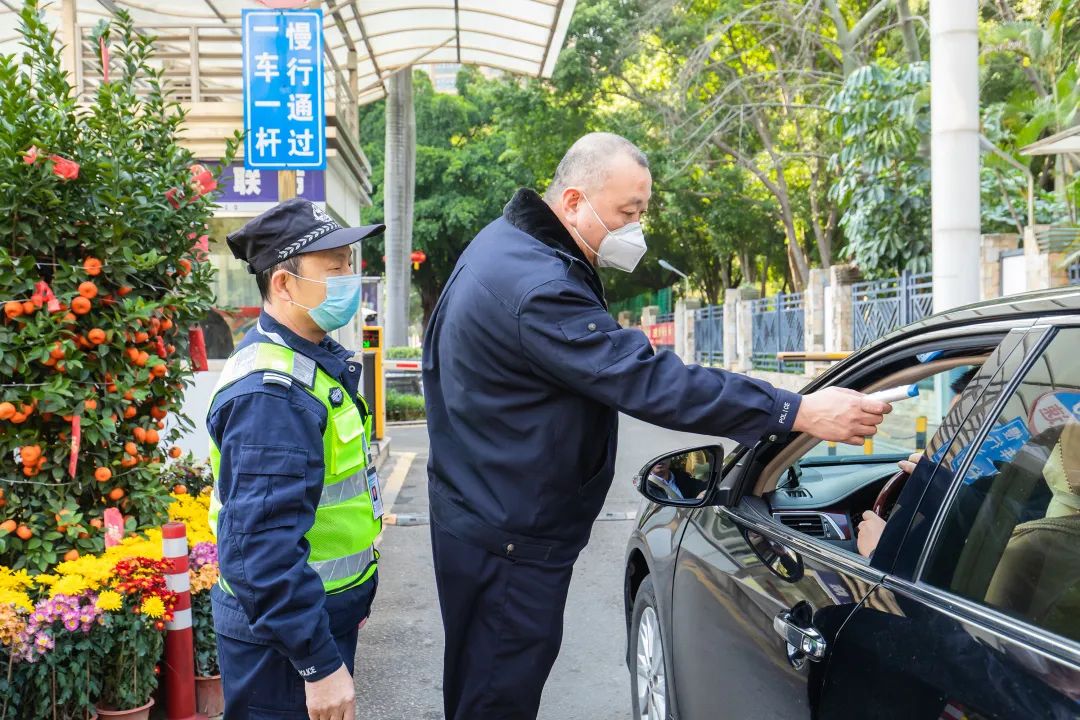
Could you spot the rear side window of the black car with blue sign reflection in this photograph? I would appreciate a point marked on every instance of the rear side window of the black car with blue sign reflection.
(1010, 538)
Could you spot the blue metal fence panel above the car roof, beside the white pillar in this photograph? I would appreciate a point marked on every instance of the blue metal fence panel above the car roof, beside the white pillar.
(883, 306)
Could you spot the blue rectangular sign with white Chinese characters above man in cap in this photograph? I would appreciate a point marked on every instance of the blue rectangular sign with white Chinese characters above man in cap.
(285, 108)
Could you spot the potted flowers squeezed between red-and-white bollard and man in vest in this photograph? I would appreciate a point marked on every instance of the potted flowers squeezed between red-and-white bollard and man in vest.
(210, 700)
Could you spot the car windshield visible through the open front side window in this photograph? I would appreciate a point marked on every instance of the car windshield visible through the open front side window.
(912, 423)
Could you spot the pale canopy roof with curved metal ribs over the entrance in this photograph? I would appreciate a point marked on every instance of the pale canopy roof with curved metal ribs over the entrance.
(384, 36)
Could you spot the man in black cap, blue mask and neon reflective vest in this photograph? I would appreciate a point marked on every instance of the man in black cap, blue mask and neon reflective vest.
(293, 499)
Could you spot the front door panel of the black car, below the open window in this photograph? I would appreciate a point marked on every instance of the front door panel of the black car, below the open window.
(737, 573)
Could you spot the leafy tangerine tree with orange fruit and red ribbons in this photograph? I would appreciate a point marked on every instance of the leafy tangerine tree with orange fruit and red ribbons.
(113, 240)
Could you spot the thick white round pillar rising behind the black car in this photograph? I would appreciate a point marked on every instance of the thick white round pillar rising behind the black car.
(954, 151)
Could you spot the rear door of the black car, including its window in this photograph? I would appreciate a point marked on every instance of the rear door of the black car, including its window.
(980, 616)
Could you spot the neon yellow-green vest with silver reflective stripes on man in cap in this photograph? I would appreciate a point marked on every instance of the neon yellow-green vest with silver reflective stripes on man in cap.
(345, 529)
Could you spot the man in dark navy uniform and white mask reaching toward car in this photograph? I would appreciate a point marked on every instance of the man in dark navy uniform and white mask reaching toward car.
(525, 374)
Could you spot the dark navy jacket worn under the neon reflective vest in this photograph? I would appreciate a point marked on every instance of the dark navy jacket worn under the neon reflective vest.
(272, 478)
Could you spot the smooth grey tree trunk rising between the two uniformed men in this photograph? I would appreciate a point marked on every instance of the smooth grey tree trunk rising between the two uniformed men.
(400, 195)
